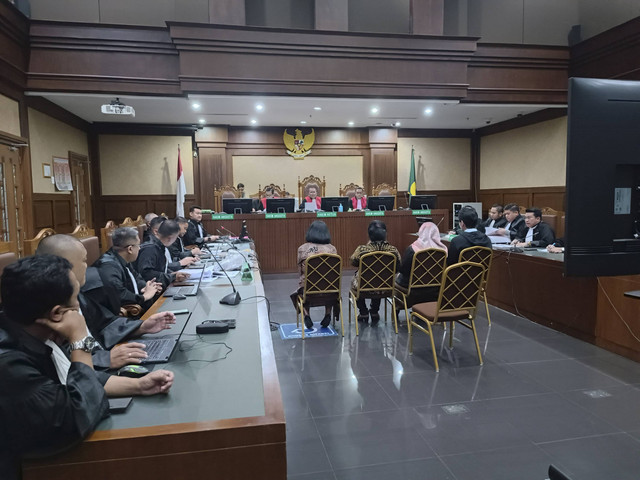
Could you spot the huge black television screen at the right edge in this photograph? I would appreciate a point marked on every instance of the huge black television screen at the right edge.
(602, 232)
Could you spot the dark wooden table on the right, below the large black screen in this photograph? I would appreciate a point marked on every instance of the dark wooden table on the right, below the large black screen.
(533, 284)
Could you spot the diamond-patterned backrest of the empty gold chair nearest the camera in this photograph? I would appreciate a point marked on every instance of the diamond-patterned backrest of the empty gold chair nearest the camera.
(460, 289)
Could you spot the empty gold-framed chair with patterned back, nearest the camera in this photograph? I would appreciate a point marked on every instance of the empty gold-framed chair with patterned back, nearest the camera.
(457, 302)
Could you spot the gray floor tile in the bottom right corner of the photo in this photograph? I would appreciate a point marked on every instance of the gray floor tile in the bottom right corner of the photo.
(614, 456)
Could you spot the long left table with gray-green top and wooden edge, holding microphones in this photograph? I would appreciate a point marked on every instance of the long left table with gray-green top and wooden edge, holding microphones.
(223, 418)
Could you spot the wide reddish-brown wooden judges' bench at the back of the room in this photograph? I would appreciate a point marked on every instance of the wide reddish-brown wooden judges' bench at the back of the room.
(277, 240)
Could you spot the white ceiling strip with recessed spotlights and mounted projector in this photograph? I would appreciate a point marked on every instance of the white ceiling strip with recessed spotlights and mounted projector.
(292, 111)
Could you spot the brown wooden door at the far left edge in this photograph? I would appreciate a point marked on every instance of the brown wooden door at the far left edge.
(11, 198)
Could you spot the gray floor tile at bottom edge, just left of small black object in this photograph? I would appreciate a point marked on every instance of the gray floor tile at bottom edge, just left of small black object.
(523, 462)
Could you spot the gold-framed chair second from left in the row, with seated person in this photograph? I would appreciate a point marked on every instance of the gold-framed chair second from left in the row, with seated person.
(376, 279)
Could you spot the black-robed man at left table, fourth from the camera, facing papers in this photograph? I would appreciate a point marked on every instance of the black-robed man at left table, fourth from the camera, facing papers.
(154, 259)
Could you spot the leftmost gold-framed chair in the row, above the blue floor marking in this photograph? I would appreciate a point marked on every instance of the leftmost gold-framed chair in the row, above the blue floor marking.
(322, 283)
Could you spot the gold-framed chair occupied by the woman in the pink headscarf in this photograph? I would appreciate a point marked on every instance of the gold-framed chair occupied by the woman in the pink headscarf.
(426, 272)
